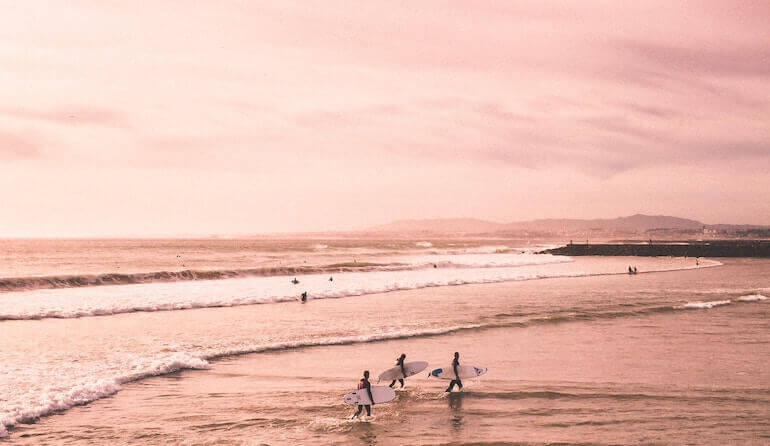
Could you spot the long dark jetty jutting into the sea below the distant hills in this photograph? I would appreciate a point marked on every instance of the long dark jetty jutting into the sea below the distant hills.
(717, 248)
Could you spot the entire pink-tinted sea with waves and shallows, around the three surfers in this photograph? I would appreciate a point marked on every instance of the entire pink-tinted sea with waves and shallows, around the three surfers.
(206, 342)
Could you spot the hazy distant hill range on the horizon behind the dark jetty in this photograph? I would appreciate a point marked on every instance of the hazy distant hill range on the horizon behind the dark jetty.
(634, 223)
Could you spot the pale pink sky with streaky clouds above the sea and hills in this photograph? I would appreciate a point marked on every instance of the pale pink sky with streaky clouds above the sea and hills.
(237, 117)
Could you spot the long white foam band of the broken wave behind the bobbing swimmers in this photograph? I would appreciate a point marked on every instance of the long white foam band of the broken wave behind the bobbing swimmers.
(67, 304)
